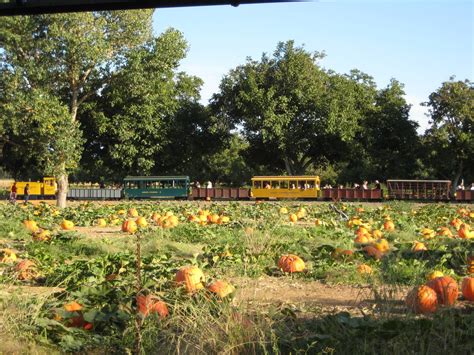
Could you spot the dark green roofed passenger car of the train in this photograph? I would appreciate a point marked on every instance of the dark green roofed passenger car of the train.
(146, 187)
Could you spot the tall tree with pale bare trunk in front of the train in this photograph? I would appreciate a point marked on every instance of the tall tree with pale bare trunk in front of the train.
(69, 57)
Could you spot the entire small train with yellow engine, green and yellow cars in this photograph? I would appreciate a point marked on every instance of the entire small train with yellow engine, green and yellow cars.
(262, 188)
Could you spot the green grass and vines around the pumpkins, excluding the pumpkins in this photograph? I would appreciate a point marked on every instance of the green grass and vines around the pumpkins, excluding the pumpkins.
(99, 273)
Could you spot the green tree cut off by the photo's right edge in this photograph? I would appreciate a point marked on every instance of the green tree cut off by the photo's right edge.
(451, 135)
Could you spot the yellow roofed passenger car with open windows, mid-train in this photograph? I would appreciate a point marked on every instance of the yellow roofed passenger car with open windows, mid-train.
(275, 187)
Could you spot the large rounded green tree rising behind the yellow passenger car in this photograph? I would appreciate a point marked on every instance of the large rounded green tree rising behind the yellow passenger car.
(293, 113)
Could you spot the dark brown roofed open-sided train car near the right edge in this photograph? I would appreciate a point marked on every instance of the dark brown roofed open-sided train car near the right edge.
(425, 190)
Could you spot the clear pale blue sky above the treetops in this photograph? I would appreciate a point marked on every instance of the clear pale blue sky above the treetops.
(420, 43)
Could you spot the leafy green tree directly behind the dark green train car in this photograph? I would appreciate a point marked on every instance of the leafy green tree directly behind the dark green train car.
(147, 119)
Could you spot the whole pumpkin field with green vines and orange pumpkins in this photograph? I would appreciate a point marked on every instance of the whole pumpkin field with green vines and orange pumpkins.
(73, 286)
